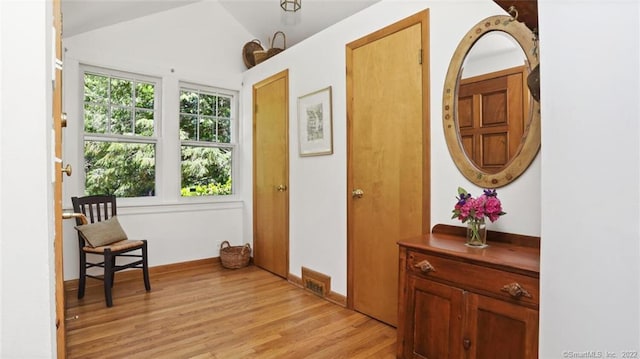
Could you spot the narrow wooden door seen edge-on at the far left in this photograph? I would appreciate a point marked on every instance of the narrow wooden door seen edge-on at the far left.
(57, 190)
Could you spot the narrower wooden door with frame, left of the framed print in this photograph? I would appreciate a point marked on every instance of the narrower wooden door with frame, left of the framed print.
(271, 174)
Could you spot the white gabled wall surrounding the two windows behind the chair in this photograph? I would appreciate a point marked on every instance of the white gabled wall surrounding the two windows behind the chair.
(198, 43)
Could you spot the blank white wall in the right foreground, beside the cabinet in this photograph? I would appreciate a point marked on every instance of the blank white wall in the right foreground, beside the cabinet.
(590, 177)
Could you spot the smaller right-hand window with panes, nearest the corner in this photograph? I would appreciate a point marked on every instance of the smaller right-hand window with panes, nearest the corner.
(207, 121)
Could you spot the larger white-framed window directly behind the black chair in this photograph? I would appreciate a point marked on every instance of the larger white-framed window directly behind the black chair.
(120, 120)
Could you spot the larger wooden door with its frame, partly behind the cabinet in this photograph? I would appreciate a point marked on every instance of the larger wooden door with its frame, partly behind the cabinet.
(388, 172)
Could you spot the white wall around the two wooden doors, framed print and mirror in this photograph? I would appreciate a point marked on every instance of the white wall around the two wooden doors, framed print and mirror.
(317, 185)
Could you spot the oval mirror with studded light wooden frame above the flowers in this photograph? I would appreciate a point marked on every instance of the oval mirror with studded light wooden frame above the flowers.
(491, 122)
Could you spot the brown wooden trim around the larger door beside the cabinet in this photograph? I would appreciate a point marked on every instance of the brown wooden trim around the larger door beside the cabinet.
(421, 18)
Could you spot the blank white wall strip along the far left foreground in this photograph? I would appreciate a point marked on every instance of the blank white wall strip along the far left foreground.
(27, 305)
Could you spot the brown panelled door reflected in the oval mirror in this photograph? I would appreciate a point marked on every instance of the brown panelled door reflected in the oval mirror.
(491, 114)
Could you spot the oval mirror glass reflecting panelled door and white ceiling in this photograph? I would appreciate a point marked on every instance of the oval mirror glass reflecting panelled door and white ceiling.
(493, 101)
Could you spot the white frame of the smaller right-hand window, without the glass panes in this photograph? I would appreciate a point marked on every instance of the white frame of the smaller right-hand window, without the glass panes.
(232, 145)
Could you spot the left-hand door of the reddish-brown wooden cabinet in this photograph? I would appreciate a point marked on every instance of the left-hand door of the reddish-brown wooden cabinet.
(435, 324)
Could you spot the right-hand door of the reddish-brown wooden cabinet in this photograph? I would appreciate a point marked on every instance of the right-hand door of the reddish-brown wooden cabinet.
(501, 330)
